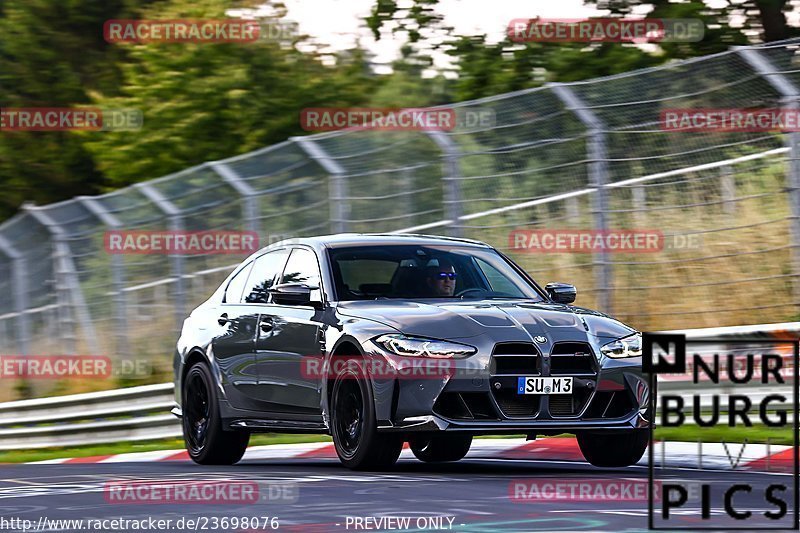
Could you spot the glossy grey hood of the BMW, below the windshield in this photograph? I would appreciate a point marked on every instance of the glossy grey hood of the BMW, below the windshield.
(511, 320)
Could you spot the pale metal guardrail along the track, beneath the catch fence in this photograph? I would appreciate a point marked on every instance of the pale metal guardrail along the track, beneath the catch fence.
(143, 413)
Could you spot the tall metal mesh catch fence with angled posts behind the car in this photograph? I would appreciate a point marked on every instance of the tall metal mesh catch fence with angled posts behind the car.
(584, 155)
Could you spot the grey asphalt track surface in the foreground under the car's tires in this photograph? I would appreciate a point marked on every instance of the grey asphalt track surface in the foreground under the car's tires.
(474, 493)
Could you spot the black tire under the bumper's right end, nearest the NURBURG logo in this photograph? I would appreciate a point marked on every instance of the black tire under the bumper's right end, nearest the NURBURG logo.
(613, 449)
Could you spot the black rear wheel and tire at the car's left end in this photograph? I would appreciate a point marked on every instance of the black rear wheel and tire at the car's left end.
(205, 439)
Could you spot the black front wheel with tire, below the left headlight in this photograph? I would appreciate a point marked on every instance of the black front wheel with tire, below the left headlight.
(353, 424)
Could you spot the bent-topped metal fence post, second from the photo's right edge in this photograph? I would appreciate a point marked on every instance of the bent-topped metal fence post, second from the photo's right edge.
(598, 178)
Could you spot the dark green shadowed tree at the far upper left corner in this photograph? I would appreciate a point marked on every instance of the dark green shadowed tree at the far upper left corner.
(52, 54)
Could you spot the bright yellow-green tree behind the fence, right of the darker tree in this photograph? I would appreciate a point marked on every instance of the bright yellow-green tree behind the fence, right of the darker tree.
(209, 101)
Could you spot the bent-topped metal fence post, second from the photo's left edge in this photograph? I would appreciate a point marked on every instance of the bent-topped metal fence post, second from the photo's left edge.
(64, 268)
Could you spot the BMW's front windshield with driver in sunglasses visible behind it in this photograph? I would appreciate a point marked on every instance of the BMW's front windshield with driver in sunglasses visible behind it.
(404, 271)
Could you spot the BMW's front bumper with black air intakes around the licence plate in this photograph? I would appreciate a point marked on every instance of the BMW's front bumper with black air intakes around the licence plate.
(609, 394)
